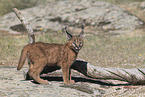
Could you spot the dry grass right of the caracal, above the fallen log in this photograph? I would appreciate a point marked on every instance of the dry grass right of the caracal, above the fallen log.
(126, 51)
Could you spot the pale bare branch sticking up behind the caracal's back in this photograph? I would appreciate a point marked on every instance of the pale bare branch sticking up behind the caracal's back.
(25, 24)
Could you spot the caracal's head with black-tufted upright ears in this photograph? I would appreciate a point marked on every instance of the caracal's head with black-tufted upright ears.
(75, 42)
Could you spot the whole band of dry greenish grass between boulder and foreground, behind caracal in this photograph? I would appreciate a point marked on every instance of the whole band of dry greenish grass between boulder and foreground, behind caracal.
(125, 50)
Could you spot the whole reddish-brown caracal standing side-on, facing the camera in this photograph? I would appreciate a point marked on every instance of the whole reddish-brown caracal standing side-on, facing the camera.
(40, 54)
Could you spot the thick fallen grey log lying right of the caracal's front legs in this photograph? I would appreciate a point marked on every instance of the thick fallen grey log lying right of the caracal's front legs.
(132, 76)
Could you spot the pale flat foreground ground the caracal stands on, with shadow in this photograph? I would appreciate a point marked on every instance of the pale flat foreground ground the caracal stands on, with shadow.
(12, 84)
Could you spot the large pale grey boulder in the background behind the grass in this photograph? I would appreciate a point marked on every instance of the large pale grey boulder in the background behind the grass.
(55, 15)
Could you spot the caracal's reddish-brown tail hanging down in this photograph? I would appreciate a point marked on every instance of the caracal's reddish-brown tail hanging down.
(23, 57)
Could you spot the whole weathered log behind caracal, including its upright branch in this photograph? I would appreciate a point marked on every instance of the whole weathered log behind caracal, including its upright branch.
(132, 76)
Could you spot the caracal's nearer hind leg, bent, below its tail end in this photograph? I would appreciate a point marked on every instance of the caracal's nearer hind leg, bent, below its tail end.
(35, 71)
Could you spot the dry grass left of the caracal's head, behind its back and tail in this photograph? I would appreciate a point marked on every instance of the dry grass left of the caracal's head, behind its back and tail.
(11, 45)
